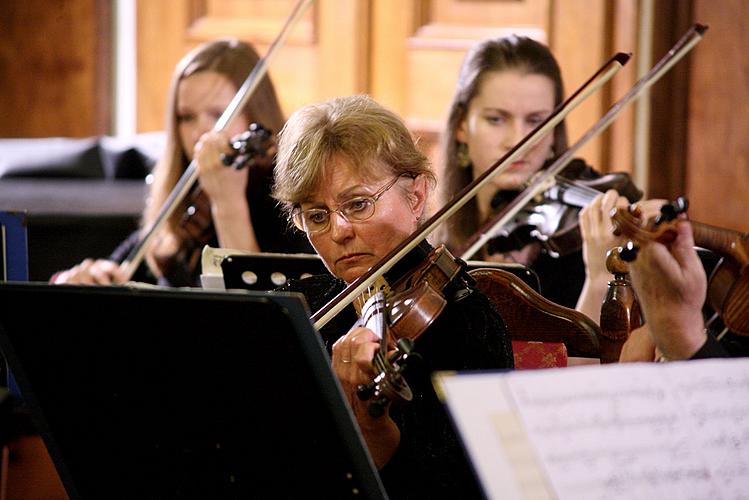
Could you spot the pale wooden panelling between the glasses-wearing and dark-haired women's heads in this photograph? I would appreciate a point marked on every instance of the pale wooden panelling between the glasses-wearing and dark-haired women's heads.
(419, 45)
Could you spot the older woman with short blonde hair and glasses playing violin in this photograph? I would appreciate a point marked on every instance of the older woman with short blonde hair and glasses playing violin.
(350, 176)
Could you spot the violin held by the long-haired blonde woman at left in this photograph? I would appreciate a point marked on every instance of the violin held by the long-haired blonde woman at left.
(254, 148)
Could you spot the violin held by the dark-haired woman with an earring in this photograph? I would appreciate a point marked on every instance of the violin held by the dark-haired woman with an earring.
(552, 217)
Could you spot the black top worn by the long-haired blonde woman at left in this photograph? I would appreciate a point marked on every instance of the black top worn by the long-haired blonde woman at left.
(271, 227)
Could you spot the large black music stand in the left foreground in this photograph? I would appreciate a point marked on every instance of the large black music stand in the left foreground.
(154, 393)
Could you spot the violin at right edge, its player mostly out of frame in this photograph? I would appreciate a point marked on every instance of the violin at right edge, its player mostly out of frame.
(728, 284)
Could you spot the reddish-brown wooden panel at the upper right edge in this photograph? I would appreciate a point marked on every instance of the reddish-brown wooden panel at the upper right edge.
(717, 178)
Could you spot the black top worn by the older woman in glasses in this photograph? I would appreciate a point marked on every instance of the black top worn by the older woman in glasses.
(468, 335)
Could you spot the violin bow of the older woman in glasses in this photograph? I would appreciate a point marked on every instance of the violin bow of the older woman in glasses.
(354, 289)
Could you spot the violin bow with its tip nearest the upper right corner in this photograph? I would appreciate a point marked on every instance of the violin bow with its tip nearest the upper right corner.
(547, 178)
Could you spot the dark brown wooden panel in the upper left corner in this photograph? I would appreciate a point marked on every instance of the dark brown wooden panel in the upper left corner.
(55, 68)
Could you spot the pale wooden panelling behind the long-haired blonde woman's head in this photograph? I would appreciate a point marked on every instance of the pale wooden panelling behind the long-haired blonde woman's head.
(325, 54)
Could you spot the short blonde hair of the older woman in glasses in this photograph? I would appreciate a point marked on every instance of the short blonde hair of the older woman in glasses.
(356, 128)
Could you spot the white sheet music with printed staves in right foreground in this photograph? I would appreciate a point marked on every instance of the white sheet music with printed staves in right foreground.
(664, 430)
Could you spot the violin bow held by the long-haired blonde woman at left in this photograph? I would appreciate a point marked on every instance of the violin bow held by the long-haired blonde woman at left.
(190, 175)
